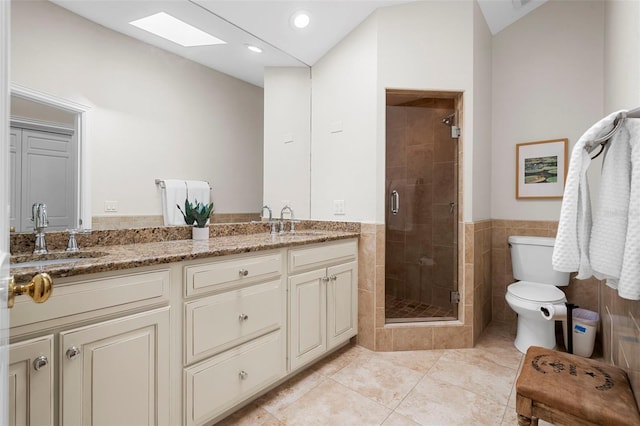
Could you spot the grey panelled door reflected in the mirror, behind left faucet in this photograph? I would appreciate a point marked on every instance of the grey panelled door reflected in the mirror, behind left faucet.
(43, 170)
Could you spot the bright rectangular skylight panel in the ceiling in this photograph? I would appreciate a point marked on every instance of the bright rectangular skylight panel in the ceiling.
(166, 26)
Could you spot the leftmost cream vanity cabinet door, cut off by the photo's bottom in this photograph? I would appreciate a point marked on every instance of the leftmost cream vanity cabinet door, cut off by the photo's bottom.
(31, 382)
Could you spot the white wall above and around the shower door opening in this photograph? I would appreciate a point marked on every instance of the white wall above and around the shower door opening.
(422, 48)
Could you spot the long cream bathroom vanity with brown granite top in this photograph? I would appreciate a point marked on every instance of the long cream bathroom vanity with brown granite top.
(179, 332)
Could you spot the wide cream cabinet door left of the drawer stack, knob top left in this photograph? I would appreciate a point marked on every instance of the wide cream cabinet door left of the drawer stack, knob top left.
(116, 372)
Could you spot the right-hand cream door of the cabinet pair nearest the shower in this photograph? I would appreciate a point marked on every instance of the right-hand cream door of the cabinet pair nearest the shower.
(342, 303)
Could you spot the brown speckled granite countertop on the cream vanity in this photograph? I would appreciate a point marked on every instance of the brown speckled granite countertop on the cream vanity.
(94, 259)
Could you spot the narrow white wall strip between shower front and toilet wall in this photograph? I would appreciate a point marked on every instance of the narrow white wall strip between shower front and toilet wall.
(480, 150)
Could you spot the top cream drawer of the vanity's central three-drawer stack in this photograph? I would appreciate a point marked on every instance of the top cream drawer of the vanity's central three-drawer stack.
(224, 274)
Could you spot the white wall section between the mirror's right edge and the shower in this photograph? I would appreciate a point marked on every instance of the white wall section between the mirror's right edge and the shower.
(344, 157)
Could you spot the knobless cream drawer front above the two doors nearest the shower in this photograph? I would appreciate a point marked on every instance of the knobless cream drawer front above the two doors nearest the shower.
(303, 259)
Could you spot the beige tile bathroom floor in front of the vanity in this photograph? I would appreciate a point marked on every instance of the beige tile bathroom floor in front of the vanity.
(355, 386)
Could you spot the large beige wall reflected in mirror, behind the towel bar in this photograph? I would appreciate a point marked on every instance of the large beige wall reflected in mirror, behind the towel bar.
(154, 114)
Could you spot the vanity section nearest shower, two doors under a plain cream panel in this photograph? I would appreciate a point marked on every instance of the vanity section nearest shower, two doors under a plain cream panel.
(323, 309)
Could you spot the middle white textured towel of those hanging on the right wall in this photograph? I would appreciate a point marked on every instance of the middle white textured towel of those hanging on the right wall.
(608, 234)
